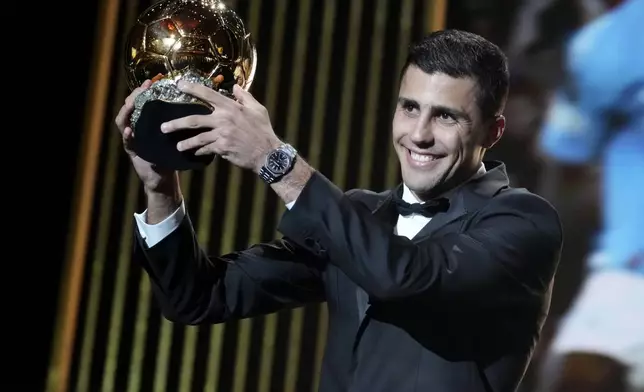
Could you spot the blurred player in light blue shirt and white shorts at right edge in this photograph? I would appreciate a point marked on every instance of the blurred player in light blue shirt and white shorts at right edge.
(598, 117)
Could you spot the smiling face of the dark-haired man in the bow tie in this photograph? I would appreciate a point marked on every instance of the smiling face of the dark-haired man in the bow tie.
(438, 132)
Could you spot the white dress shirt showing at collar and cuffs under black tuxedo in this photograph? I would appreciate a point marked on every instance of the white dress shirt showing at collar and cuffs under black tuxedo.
(406, 226)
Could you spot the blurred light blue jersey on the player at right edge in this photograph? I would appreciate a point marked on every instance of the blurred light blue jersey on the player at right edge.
(599, 117)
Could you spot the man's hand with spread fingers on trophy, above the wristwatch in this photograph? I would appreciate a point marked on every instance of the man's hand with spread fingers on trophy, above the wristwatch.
(240, 131)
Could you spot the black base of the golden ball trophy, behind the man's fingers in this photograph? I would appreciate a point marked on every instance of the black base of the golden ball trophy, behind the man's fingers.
(160, 148)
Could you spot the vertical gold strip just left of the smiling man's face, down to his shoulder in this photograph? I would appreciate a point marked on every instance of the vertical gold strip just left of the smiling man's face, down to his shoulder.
(373, 94)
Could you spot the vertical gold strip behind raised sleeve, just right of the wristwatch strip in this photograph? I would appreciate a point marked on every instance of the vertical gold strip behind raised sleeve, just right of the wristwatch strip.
(317, 128)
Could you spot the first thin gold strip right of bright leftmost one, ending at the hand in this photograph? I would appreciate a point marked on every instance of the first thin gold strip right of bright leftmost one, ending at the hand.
(115, 149)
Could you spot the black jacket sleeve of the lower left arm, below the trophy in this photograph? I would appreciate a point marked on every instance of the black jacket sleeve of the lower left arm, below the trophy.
(192, 288)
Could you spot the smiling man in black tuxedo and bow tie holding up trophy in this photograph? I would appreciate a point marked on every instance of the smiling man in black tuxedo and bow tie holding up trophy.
(449, 302)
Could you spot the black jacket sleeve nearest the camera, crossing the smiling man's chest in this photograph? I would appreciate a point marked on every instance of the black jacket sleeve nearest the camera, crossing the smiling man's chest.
(508, 253)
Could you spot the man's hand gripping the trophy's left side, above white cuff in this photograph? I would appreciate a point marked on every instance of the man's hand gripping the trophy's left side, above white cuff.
(161, 186)
